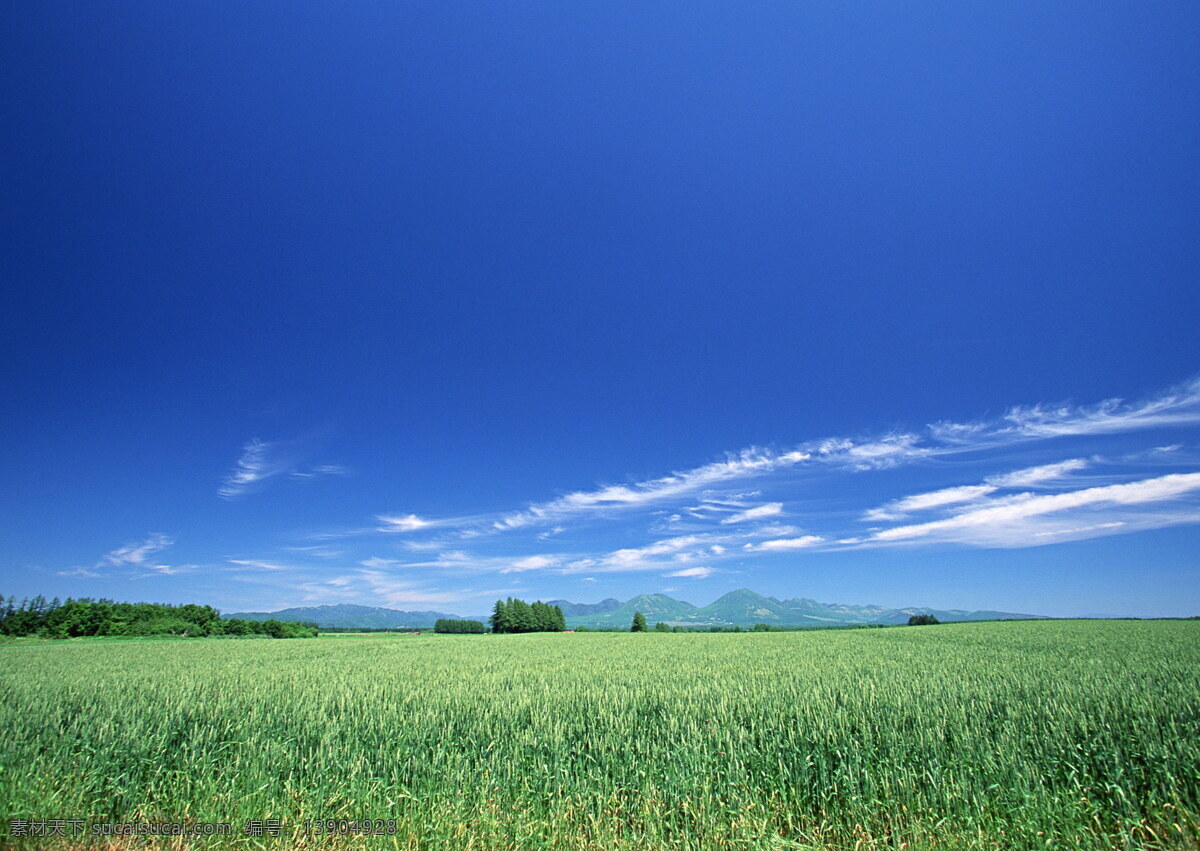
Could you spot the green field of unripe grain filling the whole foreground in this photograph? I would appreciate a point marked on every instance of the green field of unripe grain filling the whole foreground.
(1049, 735)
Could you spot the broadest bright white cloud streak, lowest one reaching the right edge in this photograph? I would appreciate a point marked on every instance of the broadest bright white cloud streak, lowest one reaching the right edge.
(1018, 520)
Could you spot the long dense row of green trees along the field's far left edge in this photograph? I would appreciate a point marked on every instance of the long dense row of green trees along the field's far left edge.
(86, 616)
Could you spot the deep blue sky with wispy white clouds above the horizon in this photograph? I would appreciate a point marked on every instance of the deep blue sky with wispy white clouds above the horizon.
(422, 305)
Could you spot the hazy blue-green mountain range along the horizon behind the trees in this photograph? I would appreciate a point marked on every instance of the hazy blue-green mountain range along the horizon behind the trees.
(742, 608)
